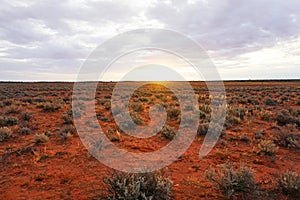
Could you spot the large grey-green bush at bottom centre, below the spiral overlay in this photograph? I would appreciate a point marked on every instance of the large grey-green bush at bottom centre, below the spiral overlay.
(142, 186)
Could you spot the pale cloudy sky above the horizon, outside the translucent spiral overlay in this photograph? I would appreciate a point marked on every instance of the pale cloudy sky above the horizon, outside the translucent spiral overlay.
(49, 40)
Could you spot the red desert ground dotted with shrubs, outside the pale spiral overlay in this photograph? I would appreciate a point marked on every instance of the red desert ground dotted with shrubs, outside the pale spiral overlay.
(42, 156)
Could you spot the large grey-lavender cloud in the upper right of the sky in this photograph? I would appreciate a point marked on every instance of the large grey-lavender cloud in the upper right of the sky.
(232, 23)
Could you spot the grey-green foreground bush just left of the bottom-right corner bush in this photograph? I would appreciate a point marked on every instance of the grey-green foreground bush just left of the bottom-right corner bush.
(233, 182)
